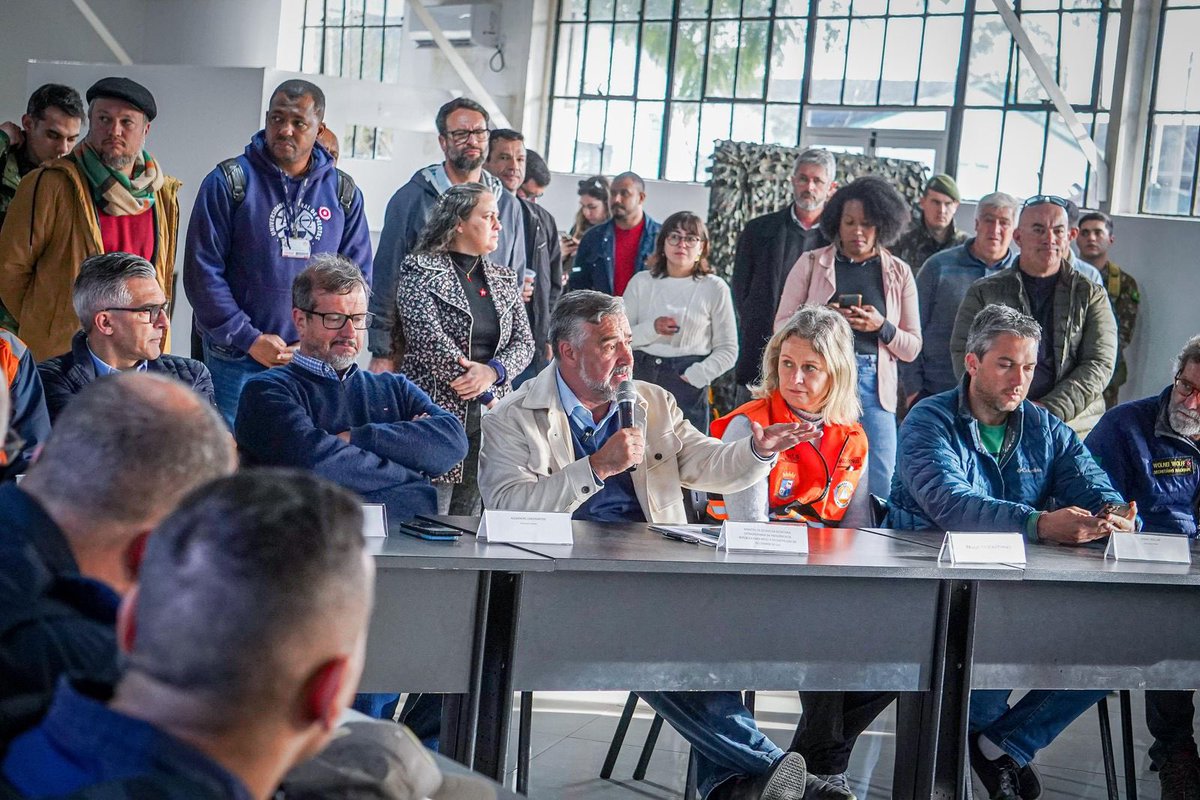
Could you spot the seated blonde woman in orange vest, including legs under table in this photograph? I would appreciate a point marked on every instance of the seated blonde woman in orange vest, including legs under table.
(811, 374)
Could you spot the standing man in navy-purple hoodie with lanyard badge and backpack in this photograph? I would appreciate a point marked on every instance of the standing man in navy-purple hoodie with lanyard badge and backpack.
(257, 221)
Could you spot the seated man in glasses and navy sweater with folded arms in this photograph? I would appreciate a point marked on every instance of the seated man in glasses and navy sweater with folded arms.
(377, 435)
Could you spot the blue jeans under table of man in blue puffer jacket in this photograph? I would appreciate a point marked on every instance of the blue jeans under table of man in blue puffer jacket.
(1025, 729)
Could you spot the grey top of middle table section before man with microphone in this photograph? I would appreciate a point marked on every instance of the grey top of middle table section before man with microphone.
(634, 548)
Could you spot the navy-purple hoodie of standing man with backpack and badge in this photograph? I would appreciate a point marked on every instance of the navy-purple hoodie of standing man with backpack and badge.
(236, 274)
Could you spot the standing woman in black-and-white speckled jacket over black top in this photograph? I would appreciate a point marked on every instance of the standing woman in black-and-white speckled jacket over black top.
(461, 326)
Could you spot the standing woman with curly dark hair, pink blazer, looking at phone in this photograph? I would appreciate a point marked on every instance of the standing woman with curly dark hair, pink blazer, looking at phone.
(877, 294)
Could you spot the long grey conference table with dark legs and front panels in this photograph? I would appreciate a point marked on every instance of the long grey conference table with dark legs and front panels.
(871, 610)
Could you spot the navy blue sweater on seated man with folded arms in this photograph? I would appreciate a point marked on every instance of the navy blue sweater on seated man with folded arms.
(290, 417)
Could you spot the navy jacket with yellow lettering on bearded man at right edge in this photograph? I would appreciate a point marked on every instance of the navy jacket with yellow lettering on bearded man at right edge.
(1150, 464)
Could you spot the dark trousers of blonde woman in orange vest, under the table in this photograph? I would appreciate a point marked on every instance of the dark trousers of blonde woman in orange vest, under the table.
(831, 724)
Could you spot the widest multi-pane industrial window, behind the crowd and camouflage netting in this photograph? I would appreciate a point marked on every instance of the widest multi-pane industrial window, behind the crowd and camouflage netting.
(650, 85)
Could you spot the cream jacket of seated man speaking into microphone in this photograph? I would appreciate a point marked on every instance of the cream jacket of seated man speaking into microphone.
(527, 462)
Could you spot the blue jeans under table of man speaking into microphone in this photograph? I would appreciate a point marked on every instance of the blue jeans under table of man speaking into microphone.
(722, 732)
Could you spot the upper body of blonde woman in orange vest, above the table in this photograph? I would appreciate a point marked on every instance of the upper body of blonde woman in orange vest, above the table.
(809, 375)
